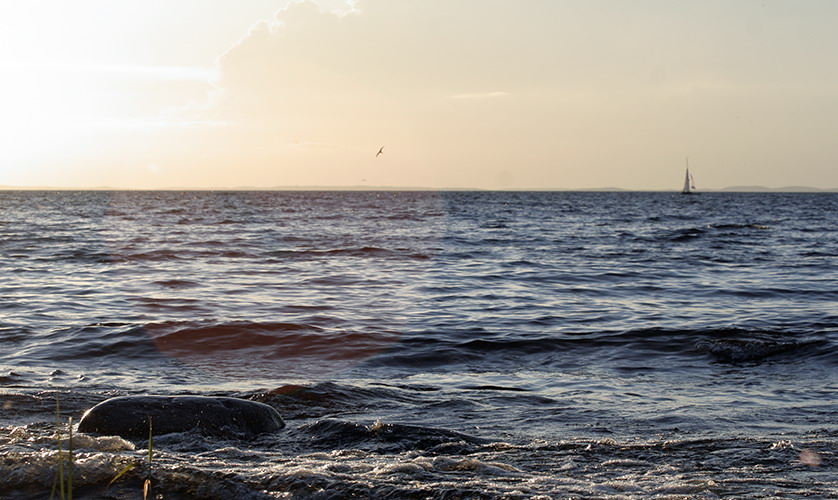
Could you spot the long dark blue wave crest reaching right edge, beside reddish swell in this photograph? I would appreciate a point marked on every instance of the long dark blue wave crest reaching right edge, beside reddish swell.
(728, 345)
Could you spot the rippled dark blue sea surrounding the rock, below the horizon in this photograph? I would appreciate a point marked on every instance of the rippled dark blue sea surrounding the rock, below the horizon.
(425, 345)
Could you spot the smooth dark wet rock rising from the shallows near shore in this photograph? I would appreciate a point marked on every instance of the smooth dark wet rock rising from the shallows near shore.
(127, 416)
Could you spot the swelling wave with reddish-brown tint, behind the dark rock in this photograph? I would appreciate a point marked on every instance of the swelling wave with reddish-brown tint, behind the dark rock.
(203, 343)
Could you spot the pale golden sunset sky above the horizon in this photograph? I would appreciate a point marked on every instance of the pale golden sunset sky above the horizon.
(491, 94)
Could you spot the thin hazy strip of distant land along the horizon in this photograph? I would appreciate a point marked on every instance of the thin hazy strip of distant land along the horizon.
(731, 189)
